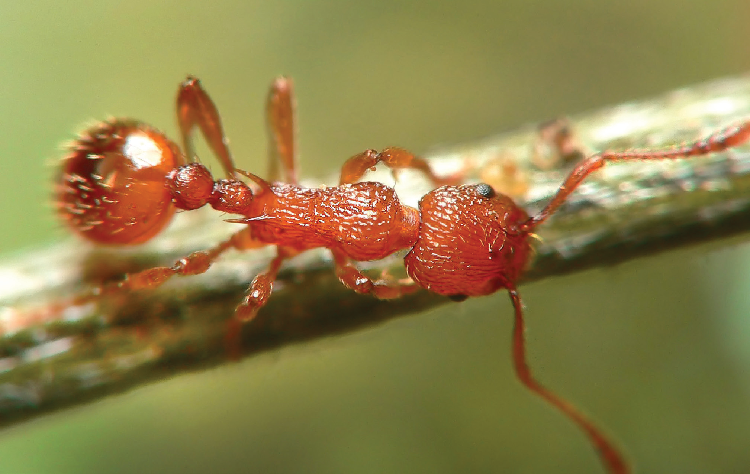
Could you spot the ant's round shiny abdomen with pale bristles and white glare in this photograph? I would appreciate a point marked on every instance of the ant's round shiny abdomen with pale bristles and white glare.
(111, 189)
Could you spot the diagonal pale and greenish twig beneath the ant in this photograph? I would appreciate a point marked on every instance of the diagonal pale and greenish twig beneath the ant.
(53, 356)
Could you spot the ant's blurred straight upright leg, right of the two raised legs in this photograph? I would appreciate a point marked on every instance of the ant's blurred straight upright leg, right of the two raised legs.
(281, 132)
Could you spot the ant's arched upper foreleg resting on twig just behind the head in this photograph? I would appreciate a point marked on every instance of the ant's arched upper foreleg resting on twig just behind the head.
(394, 158)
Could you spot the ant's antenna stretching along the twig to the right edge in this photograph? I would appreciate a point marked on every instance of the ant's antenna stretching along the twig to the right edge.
(716, 142)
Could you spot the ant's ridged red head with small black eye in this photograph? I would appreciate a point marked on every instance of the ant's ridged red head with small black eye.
(470, 242)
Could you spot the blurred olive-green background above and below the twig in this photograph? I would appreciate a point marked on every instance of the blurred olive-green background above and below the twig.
(657, 350)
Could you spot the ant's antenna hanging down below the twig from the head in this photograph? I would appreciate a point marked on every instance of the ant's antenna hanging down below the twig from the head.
(611, 456)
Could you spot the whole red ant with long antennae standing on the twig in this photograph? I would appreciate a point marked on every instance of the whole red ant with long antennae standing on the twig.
(123, 180)
